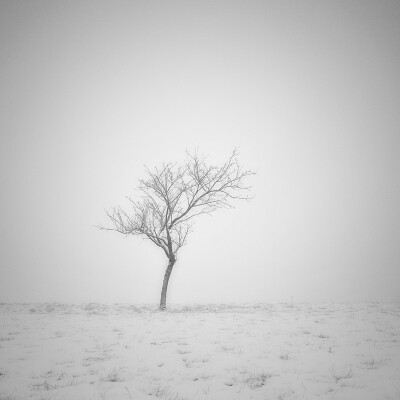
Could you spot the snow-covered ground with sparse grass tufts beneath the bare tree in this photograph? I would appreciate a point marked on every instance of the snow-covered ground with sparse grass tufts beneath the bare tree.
(276, 352)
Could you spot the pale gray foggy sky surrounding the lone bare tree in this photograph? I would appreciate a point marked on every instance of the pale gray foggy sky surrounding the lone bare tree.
(309, 92)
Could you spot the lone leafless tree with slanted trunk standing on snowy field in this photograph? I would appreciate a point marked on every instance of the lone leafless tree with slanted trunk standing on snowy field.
(171, 196)
